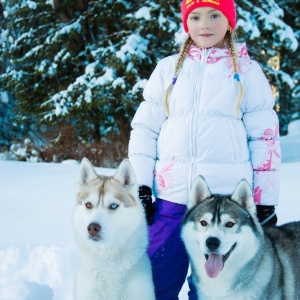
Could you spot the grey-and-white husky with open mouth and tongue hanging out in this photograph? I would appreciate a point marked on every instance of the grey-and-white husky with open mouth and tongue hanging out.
(232, 256)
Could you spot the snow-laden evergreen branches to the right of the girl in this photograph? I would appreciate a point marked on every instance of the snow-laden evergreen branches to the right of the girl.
(270, 34)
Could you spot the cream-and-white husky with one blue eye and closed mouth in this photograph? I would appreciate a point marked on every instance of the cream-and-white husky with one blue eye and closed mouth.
(112, 238)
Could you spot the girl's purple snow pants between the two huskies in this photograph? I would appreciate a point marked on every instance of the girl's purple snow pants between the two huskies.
(167, 253)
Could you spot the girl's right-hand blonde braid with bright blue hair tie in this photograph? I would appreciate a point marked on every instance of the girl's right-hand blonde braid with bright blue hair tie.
(230, 44)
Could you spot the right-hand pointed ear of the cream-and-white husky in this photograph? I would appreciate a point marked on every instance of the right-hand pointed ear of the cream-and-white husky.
(126, 176)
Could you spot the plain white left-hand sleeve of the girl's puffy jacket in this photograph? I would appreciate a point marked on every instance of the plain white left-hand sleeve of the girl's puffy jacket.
(146, 125)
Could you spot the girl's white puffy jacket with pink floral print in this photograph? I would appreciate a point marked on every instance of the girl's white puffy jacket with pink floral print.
(203, 134)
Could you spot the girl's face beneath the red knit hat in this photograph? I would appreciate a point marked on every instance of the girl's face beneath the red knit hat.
(207, 27)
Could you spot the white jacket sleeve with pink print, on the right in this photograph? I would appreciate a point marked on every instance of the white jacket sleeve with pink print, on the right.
(261, 123)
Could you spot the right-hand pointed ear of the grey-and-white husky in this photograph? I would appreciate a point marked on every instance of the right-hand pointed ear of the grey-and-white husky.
(243, 196)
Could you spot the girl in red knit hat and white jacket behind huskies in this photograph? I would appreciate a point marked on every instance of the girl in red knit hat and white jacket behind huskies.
(207, 111)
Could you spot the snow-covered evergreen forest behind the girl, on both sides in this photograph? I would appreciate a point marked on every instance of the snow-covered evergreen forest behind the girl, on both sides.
(72, 72)
